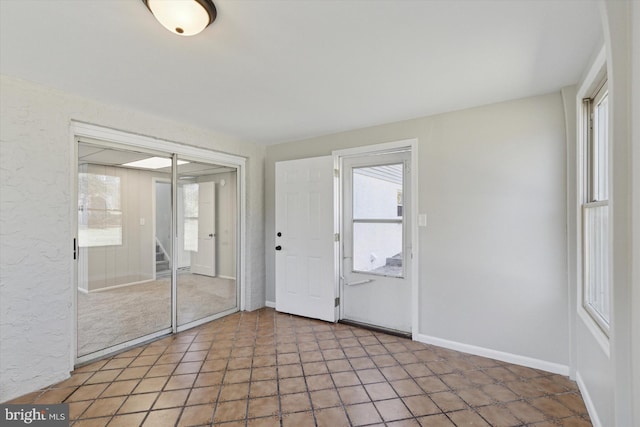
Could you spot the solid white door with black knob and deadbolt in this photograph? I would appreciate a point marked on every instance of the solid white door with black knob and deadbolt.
(305, 282)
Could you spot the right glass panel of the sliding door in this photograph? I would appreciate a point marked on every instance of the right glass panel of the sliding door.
(206, 240)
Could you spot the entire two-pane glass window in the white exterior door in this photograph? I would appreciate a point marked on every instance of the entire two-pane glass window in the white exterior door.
(377, 219)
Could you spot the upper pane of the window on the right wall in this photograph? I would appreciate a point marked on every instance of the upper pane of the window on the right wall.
(600, 149)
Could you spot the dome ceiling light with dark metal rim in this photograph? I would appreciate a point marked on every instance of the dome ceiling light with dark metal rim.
(183, 17)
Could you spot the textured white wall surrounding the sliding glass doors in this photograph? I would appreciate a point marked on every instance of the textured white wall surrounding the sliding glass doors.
(37, 279)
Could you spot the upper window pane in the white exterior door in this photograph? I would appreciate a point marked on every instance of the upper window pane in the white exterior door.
(377, 192)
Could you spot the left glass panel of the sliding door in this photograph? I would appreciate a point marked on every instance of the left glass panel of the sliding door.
(124, 221)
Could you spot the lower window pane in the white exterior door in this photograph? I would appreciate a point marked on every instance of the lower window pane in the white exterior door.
(377, 248)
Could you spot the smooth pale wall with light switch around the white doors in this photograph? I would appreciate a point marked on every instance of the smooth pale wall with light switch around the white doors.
(493, 262)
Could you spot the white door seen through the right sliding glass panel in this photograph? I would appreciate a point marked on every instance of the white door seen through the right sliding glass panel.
(203, 261)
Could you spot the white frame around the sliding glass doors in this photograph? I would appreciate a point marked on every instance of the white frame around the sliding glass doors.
(117, 138)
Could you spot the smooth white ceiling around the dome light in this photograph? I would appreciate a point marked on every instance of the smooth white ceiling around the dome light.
(276, 71)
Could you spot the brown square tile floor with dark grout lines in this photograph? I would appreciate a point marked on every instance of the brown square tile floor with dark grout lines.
(268, 369)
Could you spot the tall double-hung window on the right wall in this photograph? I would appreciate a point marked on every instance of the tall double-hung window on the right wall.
(595, 209)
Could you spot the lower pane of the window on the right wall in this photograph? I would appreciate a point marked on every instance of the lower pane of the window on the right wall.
(597, 261)
